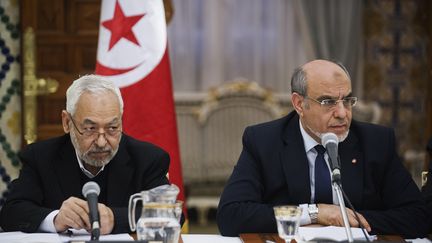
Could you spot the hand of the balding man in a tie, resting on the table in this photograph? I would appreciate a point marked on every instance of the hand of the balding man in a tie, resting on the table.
(329, 214)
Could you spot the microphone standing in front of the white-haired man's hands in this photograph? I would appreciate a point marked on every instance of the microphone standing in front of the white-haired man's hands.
(91, 191)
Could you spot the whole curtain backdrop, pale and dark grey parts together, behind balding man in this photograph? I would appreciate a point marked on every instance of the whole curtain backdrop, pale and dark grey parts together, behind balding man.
(212, 42)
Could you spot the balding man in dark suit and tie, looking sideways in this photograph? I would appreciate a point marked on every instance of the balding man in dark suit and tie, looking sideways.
(279, 165)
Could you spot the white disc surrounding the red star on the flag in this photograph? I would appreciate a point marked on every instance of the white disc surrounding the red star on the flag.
(132, 62)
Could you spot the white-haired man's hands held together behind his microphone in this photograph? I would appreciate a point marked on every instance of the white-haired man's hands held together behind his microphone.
(74, 213)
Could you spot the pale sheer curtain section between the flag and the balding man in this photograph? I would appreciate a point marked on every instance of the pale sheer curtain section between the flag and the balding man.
(212, 42)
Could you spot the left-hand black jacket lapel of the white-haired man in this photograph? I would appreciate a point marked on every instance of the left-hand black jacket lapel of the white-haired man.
(67, 170)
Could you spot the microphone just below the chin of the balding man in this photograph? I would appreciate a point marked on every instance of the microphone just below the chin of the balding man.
(330, 142)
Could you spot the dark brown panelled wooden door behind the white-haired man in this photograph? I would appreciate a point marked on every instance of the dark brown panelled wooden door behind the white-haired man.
(66, 33)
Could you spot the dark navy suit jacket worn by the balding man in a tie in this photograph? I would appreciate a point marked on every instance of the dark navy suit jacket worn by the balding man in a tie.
(273, 170)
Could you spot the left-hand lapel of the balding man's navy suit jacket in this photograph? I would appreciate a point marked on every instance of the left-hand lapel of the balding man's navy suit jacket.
(295, 163)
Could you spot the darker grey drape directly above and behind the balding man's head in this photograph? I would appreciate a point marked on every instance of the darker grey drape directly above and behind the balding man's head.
(333, 29)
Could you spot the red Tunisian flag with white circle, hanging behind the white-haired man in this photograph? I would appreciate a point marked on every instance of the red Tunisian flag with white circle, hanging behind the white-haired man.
(132, 52)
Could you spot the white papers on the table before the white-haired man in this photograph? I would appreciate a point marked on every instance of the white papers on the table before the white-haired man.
(18, 237)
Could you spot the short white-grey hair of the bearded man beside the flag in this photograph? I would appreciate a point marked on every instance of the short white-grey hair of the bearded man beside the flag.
(93, 84)
